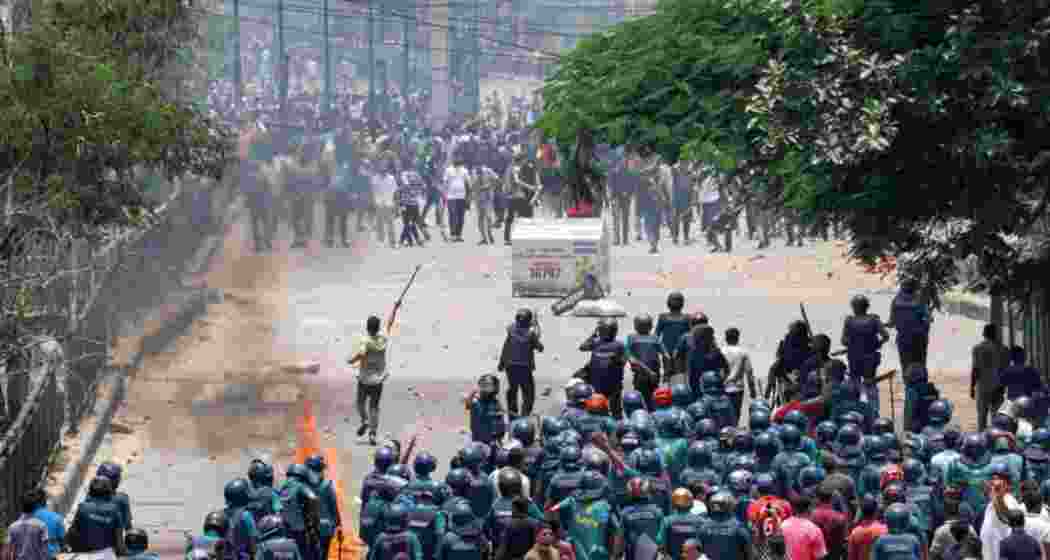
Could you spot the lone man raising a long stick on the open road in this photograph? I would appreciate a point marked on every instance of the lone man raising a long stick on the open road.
(371, 359)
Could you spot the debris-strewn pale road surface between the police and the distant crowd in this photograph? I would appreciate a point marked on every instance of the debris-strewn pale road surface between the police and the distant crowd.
(221, 398)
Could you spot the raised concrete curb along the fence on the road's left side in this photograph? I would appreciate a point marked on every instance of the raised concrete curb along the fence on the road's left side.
(192, 305)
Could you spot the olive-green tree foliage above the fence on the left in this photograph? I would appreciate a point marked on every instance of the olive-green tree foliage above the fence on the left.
(86, 110)
